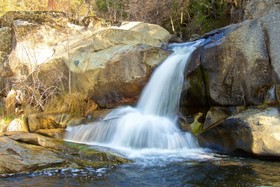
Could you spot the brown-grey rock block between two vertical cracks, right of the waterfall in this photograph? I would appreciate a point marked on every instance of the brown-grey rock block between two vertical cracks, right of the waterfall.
(237, 71)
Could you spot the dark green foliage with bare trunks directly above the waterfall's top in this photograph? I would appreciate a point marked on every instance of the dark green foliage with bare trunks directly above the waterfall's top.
(189, 17)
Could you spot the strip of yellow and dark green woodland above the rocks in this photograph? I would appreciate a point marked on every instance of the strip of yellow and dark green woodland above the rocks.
(184, 18)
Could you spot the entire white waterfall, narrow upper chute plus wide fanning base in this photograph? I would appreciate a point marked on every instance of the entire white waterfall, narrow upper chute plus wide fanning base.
(152, 124)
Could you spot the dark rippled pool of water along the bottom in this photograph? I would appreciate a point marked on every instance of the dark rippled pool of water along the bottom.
(220, 171)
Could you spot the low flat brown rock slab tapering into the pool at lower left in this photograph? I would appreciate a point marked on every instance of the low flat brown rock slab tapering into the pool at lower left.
(26, 152)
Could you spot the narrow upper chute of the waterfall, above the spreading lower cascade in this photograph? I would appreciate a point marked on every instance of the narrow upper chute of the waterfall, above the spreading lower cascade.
(161, 95)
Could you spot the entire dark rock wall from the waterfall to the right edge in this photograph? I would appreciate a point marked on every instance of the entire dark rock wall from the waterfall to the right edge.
(240, 69)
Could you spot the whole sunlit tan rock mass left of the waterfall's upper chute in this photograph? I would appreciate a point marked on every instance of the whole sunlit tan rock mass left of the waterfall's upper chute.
(52, 54)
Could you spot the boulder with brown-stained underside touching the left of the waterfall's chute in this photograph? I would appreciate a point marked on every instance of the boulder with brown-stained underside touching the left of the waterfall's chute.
(121, 74)
